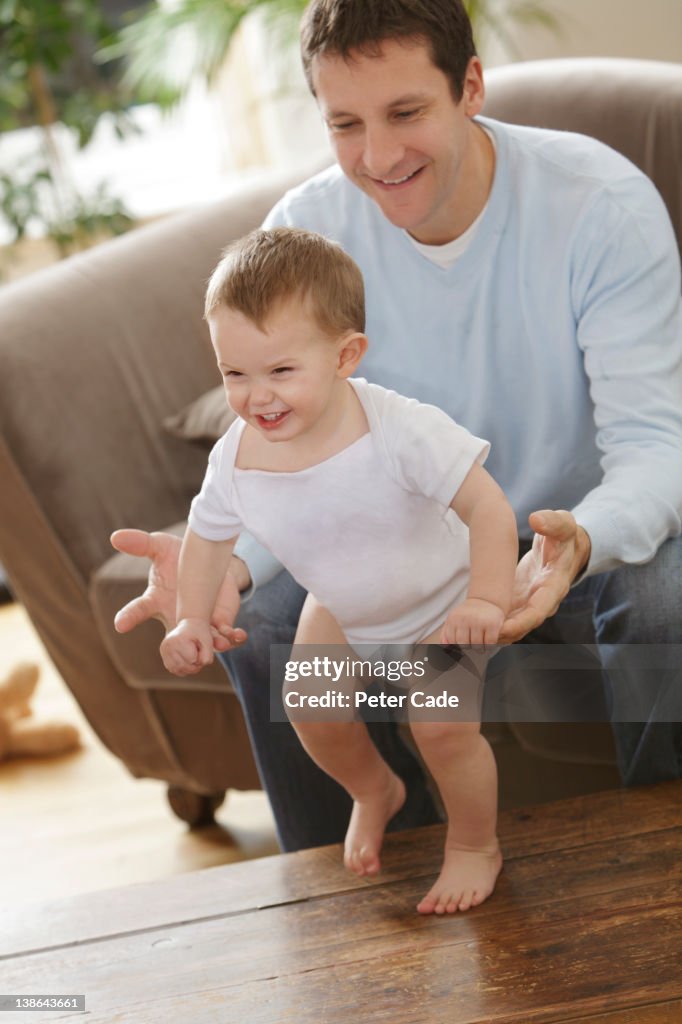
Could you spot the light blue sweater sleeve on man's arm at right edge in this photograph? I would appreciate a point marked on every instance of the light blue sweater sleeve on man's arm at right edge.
(626, 292)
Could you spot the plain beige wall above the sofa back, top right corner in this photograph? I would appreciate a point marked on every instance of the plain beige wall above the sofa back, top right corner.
(646, 29)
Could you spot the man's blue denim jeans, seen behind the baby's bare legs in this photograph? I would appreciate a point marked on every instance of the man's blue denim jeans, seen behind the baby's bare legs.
(630, 606)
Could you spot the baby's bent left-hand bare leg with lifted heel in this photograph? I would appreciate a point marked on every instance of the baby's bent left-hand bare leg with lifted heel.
(344, 749)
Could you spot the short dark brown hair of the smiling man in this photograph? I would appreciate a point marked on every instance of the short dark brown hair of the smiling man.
(339, 27)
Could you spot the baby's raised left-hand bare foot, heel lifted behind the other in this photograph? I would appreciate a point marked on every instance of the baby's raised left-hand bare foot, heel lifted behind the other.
(368, 824)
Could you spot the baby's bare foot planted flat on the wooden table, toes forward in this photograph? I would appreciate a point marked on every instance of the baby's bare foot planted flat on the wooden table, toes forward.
(467, 878)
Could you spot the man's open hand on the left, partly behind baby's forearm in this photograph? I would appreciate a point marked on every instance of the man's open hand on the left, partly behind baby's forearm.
(159, 601)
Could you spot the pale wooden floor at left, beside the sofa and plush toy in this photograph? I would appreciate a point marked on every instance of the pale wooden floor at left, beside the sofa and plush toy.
(80, 823)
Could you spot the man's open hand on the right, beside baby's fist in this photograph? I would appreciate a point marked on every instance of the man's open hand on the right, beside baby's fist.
(561, 550)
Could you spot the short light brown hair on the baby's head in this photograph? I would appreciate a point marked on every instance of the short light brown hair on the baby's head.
(268, 268)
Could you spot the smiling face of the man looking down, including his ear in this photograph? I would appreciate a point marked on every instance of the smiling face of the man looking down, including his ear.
(399, 135)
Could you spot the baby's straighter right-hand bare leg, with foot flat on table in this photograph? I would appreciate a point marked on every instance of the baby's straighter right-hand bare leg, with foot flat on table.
(464, 769)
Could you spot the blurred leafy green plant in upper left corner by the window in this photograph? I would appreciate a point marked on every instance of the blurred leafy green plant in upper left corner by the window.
(49, 81)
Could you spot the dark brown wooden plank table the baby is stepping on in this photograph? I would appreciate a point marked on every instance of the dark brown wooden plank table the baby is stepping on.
(586, 925)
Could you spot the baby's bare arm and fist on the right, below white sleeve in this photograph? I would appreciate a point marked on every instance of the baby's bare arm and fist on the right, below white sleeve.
(482, 505)
